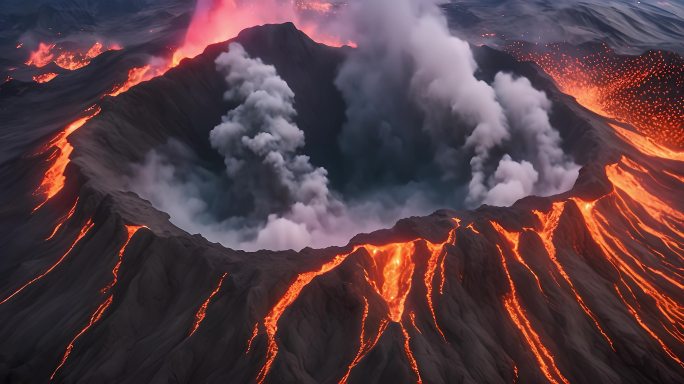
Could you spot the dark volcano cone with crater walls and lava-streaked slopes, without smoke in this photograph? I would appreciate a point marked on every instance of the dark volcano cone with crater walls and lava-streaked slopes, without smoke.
(98, 286)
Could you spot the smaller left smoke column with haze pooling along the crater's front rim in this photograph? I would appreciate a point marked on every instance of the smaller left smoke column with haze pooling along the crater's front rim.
(287, 201)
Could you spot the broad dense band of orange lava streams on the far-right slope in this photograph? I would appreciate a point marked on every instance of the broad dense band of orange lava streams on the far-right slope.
(645, 218)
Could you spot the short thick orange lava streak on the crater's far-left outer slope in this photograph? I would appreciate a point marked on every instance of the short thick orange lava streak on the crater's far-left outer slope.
(53, 181)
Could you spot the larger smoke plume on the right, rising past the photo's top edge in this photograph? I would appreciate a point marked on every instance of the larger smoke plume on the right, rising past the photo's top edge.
(406, 45)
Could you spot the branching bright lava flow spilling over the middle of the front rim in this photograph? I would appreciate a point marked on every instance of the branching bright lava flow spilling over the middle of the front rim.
(389, 274)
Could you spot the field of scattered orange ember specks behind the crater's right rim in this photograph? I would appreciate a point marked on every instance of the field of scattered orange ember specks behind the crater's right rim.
(621, 87)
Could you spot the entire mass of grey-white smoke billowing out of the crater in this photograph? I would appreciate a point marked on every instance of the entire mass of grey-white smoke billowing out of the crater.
(422, 133)
